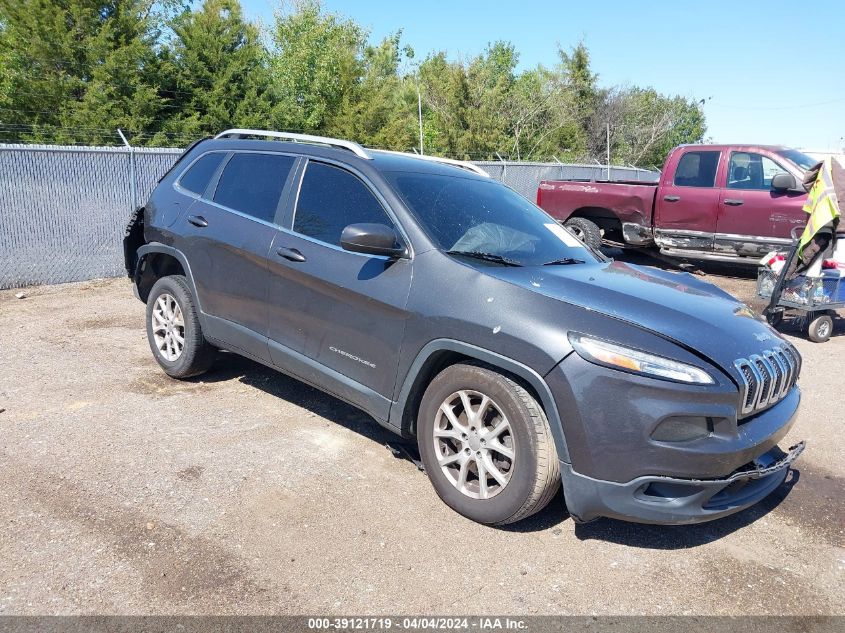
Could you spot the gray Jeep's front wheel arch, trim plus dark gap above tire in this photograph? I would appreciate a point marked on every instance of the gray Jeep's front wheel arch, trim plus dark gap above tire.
(441, 353)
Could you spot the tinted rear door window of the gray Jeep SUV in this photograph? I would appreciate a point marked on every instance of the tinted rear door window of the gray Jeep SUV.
(253, 183)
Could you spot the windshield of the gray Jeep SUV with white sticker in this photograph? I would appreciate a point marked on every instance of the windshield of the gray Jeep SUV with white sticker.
(487, 220)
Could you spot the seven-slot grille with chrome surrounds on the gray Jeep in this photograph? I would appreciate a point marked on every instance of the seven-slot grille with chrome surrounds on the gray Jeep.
(767, 377)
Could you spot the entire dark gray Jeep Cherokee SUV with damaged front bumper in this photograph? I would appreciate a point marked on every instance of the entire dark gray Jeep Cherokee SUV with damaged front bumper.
(454, 311)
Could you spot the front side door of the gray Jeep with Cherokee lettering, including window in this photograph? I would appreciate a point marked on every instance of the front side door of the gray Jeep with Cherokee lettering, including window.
(345, 311)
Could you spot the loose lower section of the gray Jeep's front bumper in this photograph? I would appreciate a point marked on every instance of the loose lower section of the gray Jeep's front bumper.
(675, 501)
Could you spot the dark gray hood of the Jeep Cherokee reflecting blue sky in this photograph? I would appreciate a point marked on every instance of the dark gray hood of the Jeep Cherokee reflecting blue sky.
(677, 306)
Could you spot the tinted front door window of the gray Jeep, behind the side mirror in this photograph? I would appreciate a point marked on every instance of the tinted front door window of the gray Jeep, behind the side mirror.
(330, 199)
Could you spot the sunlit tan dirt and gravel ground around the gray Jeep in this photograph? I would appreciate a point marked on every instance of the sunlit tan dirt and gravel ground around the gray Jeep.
(122, 491)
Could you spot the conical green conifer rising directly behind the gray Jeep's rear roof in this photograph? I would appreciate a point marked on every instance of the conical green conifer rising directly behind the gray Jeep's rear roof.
(214, 73)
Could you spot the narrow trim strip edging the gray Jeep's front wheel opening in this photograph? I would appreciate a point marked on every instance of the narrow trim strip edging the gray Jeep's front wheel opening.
(503, 362)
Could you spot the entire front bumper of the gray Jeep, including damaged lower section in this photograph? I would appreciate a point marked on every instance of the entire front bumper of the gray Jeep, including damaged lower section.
(621, 465)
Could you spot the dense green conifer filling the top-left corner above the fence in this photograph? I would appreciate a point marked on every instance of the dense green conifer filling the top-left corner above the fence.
(74, 70)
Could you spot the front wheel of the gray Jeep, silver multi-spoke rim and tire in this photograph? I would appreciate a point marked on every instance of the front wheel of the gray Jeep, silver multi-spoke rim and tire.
(486, 445)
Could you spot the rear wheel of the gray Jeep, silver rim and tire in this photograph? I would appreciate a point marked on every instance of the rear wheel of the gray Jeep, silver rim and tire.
(173, 329)
